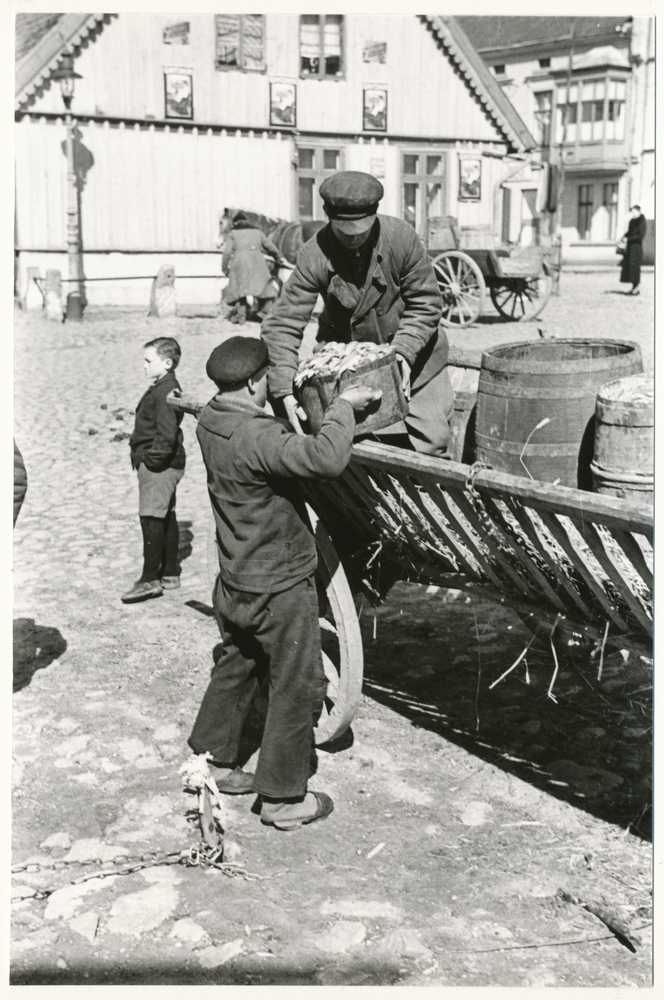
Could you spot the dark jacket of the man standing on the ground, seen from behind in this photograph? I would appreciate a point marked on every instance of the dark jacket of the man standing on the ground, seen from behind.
(253, 461)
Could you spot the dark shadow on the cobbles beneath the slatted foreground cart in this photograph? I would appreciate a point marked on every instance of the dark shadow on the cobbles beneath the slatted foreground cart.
(591, 746)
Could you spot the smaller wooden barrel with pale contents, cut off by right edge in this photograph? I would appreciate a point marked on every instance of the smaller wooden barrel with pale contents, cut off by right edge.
(623, 461)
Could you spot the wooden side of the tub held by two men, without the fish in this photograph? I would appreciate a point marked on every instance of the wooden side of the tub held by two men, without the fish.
(317, 394)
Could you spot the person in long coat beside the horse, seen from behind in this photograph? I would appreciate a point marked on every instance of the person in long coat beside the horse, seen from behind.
(247, 270)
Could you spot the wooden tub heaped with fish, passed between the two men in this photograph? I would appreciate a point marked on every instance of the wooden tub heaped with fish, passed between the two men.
(323, 376)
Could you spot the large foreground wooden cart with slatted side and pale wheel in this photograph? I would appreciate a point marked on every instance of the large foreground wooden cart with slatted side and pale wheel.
(579, 560)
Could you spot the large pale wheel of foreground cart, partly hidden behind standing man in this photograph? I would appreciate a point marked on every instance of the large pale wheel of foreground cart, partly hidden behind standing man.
(340, 634)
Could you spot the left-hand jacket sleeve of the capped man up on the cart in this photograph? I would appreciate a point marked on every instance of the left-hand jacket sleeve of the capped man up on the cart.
(283, 329)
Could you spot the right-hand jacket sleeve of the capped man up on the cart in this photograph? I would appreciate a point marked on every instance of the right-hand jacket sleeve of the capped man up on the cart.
(422, 301)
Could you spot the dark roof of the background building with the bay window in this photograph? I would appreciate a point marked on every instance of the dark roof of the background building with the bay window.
(502, 32)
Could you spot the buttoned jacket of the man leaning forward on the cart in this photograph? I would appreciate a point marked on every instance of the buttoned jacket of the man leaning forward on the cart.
(400, 303)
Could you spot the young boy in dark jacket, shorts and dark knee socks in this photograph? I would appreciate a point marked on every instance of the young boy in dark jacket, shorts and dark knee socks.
(157, 454)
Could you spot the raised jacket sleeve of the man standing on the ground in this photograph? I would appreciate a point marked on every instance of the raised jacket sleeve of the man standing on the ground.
(321, 456)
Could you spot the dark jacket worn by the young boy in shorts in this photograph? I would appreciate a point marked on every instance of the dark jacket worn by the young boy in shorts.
(157, 437)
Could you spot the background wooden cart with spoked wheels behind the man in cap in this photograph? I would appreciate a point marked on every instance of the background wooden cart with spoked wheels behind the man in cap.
(518, 279)
